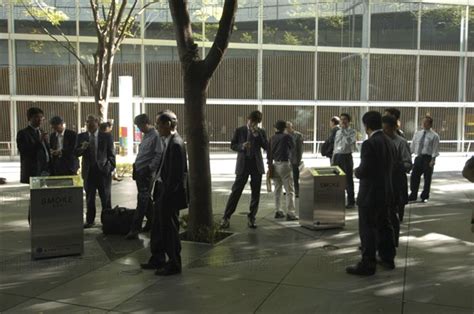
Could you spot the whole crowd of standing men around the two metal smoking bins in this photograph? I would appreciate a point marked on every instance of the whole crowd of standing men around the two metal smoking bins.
(160, 172)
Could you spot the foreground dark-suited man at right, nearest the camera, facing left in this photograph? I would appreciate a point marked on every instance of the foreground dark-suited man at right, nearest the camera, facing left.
(375, 198)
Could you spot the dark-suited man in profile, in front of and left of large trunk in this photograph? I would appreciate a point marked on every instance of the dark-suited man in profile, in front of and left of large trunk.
(170, 197)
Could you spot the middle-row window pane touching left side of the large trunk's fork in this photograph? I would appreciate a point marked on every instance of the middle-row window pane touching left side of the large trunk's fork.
(163, 72)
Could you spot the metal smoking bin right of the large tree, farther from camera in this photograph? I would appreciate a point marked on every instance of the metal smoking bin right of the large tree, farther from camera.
(322, 198)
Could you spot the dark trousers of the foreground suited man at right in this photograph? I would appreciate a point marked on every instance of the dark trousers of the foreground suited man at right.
(376, 234)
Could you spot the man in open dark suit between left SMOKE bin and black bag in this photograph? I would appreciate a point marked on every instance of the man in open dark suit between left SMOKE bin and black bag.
(98, 162)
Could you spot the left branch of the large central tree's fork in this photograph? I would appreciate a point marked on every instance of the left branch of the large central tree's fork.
(187, 49)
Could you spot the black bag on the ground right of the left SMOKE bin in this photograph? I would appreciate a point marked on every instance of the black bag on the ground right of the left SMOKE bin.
(117, 220)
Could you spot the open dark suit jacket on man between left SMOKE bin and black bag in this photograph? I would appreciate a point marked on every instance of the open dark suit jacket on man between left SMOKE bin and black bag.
(105, 153)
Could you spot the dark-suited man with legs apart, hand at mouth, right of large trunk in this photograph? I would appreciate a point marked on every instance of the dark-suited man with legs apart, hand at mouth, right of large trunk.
(248, 142)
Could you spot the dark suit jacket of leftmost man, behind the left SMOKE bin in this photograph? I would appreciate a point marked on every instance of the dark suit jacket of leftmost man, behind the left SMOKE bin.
(33, 156)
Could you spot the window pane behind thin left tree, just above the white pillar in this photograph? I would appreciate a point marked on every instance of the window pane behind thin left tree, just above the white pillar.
(126, 63)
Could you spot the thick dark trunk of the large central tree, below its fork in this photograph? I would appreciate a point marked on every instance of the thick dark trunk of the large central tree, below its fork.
(197, 138)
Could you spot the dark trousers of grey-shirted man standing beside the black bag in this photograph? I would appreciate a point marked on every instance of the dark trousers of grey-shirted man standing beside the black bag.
(144, 202)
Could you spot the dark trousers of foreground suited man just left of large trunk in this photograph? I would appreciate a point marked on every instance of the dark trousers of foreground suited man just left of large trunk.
(164, 236)
